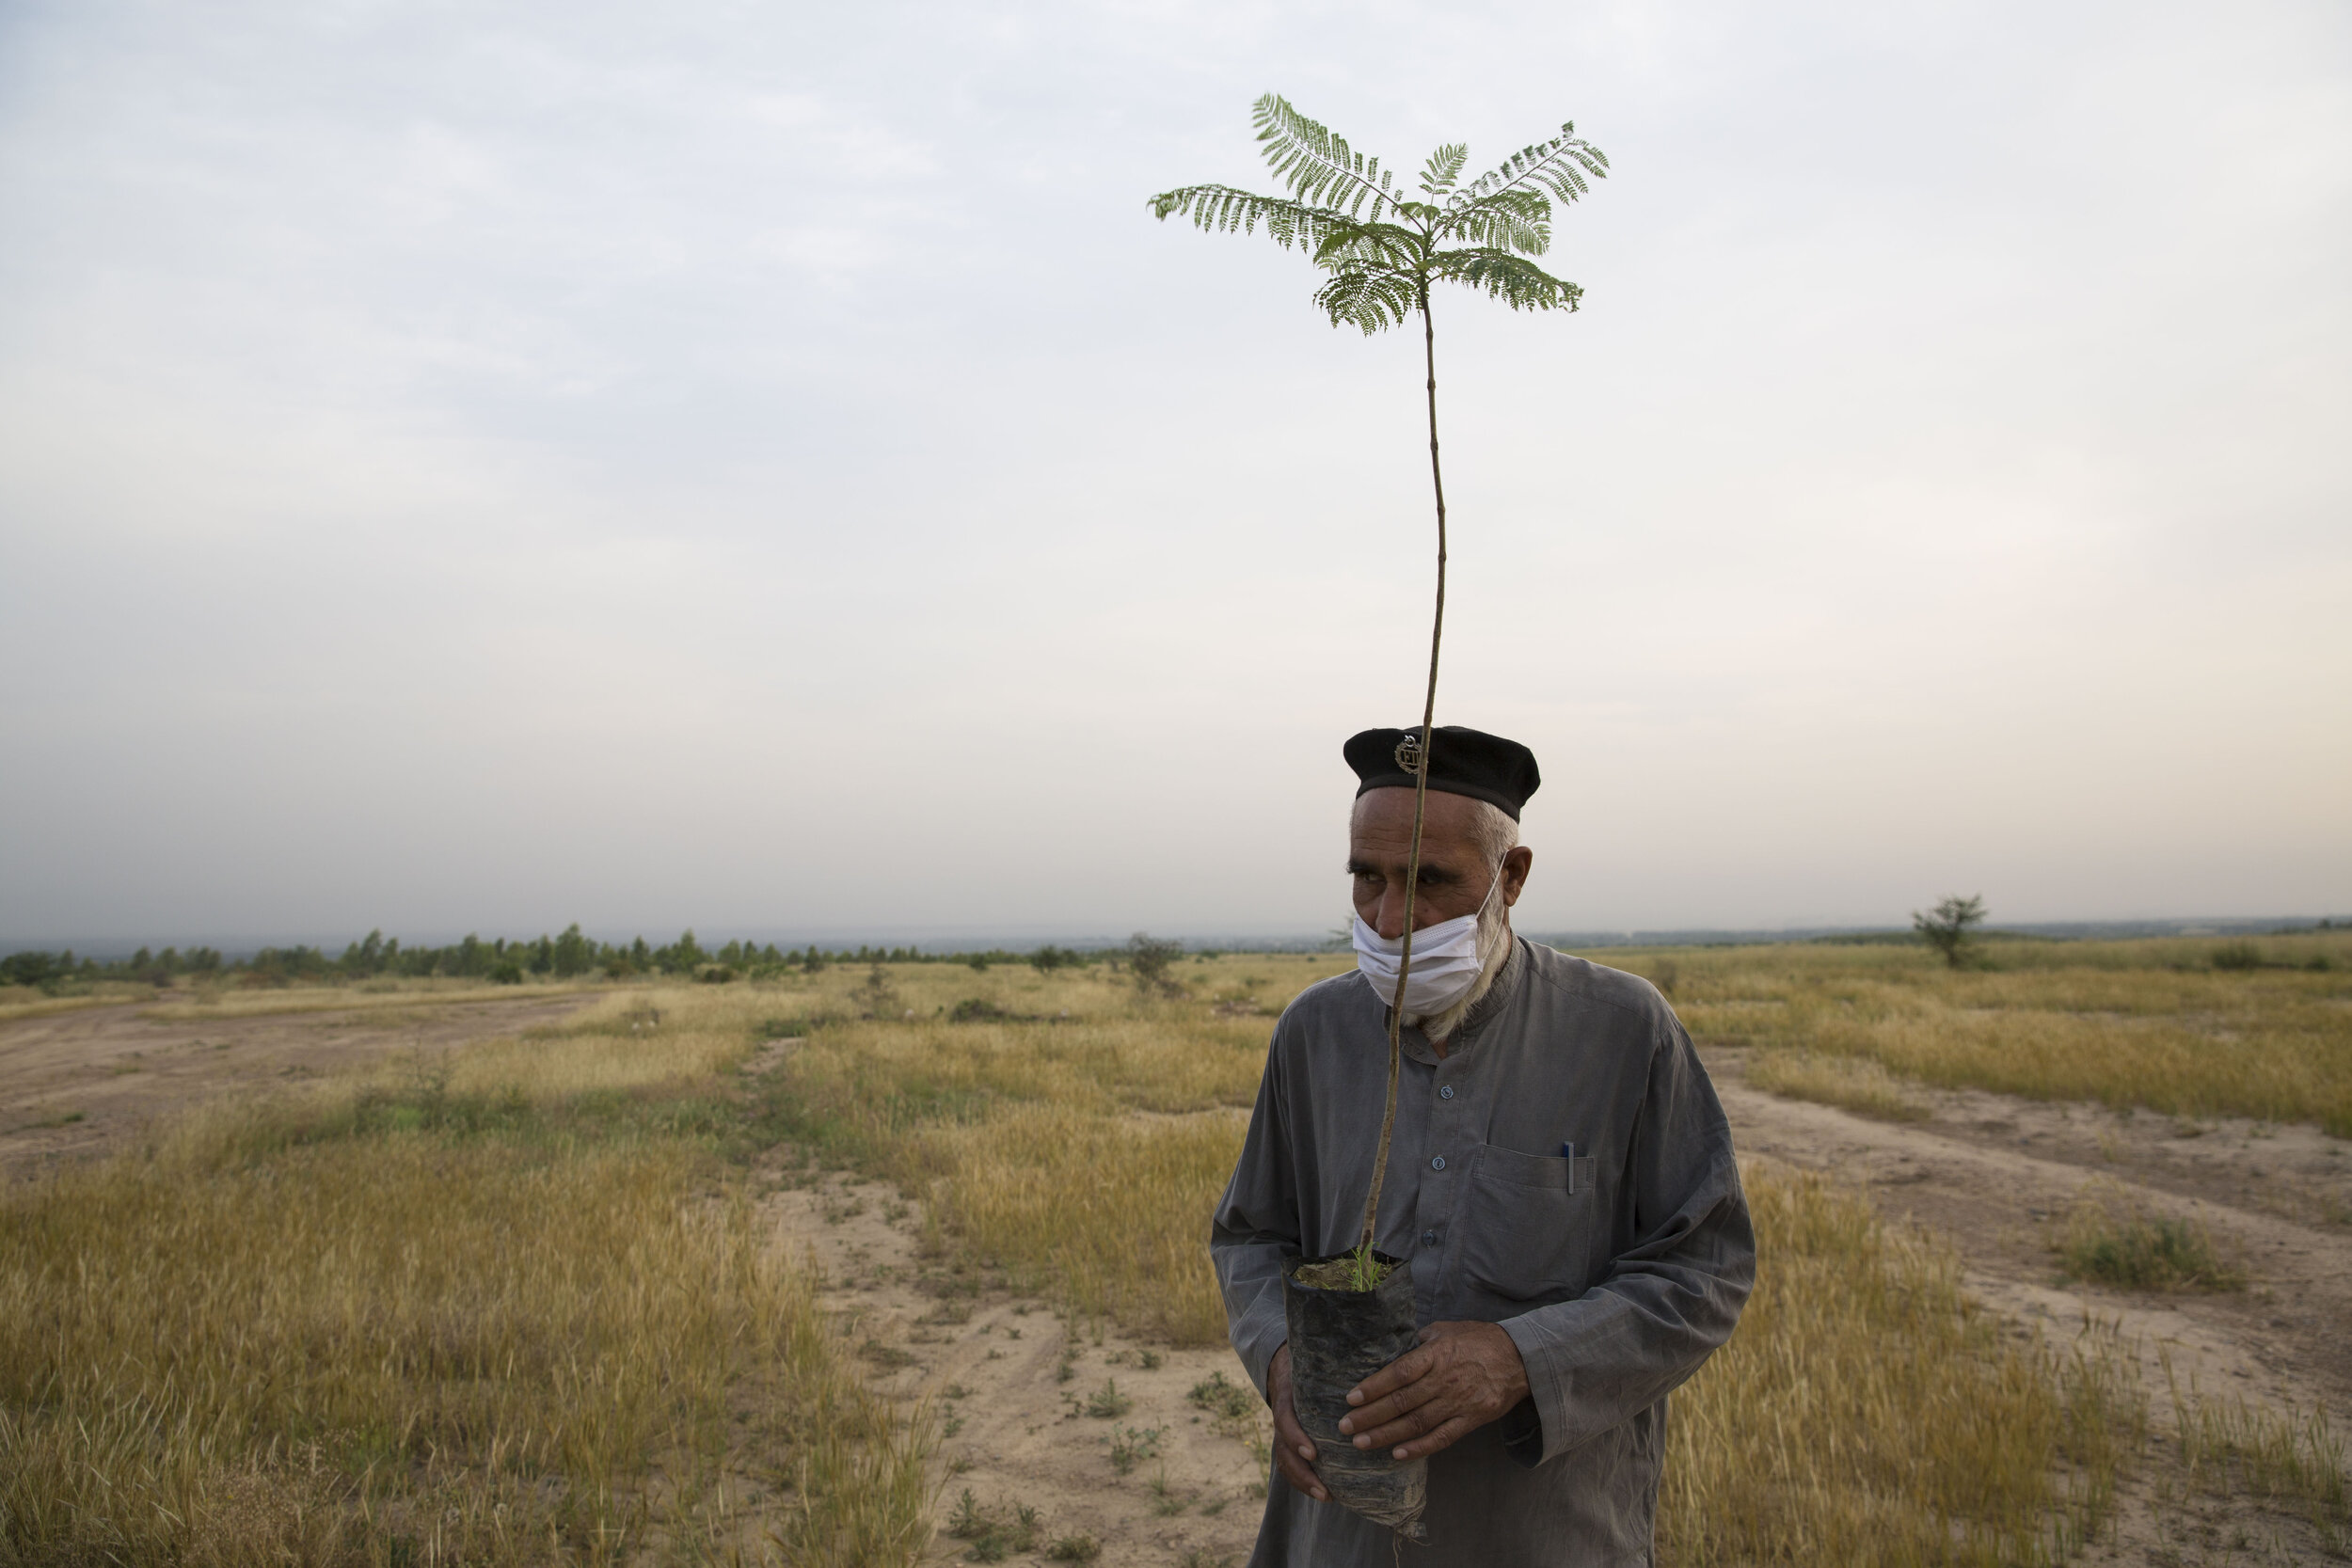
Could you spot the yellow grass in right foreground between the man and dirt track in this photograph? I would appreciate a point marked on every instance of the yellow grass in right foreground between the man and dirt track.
(1869, 1414)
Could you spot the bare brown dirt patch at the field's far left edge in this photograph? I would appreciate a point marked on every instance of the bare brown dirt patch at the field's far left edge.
(74, 1085)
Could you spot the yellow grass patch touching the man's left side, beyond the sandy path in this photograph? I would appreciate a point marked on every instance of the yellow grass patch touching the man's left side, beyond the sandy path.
(1083, 1153)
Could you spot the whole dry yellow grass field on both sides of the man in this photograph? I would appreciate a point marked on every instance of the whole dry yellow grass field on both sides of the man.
(514, 1301)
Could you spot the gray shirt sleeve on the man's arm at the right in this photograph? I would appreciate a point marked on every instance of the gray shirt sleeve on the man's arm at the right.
(1671, 1299)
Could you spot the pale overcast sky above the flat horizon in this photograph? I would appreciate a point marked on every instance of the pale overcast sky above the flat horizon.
(759, 467)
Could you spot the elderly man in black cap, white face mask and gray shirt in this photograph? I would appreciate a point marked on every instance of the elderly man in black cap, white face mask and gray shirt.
(1561, 1181)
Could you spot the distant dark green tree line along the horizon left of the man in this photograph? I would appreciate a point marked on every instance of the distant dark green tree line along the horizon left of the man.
(500, 960)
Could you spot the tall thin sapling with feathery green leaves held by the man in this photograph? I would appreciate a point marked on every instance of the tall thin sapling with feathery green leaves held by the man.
(1382, 250)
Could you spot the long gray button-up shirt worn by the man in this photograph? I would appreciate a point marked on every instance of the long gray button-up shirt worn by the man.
(1568, 1174)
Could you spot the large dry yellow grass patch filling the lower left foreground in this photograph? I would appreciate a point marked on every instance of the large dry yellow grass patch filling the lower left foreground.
(330, 1334)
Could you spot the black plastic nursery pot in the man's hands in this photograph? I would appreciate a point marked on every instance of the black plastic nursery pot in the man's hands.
(1337, 1341)
